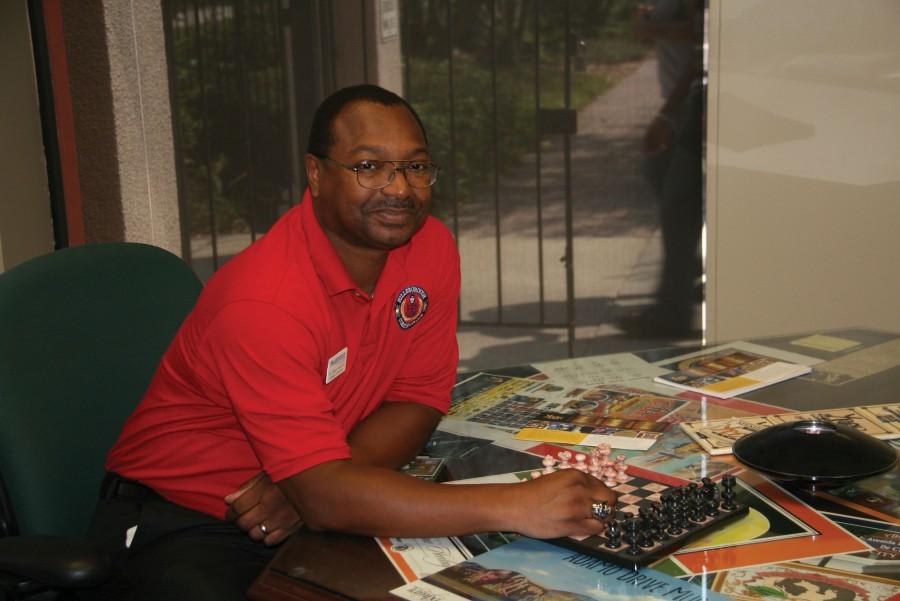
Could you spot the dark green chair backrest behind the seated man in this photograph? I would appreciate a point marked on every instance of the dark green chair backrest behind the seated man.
(81, 333)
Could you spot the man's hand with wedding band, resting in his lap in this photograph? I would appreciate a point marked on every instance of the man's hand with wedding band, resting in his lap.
(260, 509)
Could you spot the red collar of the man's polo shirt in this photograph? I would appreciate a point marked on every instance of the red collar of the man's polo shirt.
(330, 268)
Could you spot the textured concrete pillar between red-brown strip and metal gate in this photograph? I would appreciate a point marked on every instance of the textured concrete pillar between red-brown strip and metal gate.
(123, 124)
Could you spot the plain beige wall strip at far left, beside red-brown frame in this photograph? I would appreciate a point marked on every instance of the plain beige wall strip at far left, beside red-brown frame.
(25, 226)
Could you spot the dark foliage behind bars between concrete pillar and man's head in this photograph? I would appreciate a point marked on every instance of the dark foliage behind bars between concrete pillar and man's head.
(232, 123)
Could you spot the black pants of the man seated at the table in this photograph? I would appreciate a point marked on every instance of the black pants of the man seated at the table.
(176, 553)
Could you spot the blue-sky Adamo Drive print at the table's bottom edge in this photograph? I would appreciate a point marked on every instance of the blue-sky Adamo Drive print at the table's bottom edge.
(529, 570)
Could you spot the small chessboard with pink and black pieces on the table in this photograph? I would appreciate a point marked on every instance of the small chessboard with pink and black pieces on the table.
(651, 519)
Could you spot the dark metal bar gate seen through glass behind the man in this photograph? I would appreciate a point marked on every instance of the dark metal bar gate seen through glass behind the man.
(534, 108)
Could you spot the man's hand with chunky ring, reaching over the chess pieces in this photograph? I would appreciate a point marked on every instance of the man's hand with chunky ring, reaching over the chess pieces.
(559, 504)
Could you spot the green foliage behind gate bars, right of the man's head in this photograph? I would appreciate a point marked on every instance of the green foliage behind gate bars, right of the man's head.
(475, 86)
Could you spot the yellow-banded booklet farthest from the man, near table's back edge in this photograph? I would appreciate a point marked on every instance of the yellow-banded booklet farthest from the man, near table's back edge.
(729, 372)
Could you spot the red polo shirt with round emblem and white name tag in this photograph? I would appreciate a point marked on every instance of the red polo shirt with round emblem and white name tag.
(243, 386)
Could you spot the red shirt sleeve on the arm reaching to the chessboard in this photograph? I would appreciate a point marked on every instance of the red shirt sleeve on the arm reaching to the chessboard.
(268, 366)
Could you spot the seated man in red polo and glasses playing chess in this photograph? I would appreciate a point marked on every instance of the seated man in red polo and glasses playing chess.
(320, 359)
